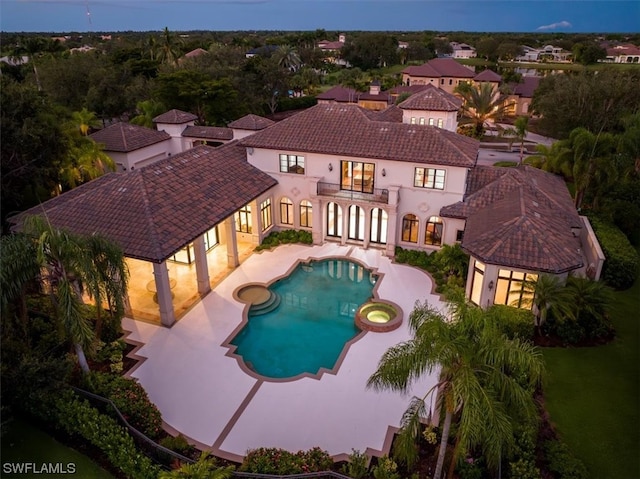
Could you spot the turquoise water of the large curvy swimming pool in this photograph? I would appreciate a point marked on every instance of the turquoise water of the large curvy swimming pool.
(314, 320)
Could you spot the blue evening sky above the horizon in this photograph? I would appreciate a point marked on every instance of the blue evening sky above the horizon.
(410, 15)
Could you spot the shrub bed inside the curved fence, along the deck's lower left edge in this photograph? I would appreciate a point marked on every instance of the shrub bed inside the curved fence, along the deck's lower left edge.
(130, 398)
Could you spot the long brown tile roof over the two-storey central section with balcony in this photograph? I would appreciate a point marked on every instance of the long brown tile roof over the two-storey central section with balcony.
(336, 129)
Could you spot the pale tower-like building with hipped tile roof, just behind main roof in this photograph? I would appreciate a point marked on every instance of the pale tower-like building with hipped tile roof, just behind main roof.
(432, 106)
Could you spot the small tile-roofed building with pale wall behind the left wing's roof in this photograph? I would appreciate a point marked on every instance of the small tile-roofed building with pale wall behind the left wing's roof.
(132, 146)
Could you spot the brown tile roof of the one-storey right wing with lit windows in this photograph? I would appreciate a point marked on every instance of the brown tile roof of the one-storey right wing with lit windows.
(519, 217)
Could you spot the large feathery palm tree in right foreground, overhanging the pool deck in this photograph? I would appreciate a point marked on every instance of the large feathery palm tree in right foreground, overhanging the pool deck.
(486, 380)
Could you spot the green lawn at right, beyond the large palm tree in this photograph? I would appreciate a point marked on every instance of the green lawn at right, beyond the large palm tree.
(593, 395)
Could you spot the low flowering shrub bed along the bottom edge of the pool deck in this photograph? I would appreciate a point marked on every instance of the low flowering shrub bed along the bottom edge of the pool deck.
(279, 461)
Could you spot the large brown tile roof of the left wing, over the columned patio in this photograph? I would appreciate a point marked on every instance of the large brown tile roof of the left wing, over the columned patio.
(154, 211)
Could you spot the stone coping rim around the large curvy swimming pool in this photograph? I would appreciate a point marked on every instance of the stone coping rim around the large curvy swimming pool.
(245, 320)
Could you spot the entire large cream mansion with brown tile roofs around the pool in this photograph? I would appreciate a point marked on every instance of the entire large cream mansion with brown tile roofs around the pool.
(347, 175)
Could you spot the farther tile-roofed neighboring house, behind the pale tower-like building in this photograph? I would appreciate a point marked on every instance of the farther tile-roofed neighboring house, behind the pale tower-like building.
(444, 73)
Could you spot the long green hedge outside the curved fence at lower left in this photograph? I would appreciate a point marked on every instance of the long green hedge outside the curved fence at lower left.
(77, 417)
